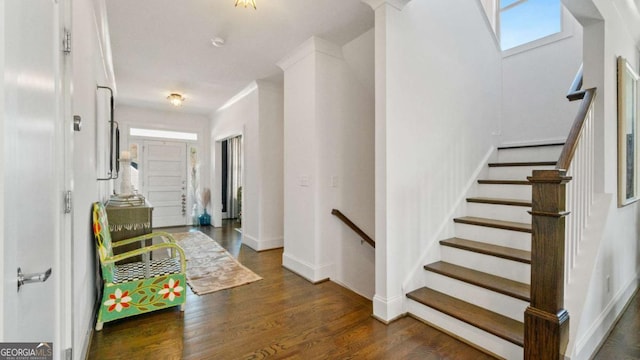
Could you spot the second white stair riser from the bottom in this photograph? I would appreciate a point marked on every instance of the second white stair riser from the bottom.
(490, 300)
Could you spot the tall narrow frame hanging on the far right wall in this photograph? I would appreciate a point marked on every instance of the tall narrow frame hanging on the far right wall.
(627, 133)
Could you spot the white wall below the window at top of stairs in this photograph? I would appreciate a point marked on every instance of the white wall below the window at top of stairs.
(534, 88)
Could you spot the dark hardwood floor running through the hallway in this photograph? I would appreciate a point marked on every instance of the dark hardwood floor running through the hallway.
(284, 316)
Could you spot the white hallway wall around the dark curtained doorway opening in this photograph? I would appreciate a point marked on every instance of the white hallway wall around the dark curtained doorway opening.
(257, 115)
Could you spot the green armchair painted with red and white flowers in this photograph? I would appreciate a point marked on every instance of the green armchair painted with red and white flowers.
(139, 287)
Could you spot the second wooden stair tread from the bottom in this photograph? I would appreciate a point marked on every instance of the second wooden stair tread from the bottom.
(495, 283)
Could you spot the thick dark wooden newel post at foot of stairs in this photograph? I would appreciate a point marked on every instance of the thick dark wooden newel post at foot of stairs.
(546, 322)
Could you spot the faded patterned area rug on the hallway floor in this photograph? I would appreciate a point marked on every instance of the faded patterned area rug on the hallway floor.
(210, 267)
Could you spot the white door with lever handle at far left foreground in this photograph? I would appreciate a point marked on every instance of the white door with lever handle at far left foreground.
(32, 128)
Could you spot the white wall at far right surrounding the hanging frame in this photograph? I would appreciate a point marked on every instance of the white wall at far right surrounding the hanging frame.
(608, 33)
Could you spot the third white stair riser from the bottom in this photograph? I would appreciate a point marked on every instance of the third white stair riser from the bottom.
(508, 269)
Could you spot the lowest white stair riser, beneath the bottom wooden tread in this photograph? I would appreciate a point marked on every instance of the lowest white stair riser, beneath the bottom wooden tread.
(468, 332)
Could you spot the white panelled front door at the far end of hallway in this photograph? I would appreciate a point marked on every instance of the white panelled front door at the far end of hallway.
(165, 181)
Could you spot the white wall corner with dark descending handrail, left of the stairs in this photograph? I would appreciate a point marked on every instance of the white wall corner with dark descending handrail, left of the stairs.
(329, 161)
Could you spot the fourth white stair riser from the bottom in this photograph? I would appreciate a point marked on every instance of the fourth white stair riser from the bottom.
(513, 239)
